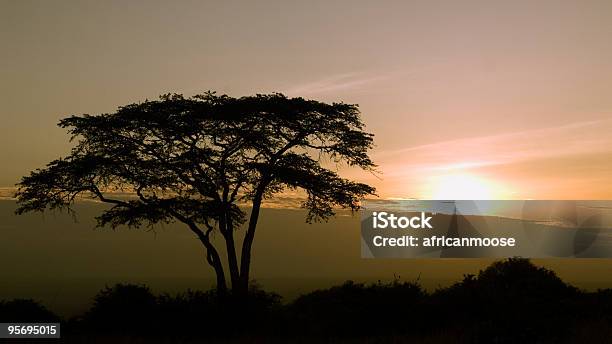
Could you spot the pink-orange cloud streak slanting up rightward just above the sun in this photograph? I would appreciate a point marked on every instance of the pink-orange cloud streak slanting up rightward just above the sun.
(580, 138)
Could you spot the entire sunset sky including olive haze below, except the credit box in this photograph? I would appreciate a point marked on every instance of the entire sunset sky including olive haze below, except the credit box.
(467, 100)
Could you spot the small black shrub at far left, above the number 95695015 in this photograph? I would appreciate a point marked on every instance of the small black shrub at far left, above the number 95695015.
(25, 310)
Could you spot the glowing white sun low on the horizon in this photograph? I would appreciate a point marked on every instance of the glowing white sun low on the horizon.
(458, 186)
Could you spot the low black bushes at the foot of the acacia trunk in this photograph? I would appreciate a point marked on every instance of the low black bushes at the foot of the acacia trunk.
(134, 309)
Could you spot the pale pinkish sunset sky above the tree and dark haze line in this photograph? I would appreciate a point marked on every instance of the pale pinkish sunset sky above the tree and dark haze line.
(467, 99)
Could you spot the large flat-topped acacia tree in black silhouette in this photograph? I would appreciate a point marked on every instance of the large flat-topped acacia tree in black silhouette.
(195, 160)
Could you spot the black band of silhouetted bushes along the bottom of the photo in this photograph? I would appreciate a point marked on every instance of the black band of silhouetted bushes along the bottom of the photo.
(511, 301)
